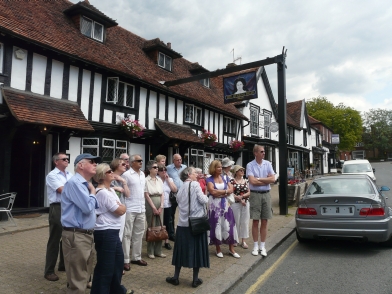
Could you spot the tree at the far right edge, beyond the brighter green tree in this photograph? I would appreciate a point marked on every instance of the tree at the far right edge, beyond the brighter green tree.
(378, 130)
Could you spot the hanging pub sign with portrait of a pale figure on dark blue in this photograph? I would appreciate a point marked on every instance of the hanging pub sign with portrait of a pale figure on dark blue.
(240, 87)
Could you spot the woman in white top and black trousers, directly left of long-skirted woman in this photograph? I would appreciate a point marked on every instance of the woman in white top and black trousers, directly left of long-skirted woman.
(168, 186)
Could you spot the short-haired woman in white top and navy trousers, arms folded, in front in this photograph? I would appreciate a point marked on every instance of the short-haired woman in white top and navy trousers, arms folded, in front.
(110, 256)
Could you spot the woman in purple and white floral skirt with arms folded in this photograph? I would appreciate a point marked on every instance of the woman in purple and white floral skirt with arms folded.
(221, 217)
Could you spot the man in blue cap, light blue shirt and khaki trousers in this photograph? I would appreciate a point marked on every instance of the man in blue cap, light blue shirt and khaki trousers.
(78, 204)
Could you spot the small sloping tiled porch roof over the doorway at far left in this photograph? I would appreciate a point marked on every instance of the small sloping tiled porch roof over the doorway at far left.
(37, 109)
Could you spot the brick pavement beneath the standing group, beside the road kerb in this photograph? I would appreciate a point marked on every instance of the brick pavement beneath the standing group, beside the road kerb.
(23, 249)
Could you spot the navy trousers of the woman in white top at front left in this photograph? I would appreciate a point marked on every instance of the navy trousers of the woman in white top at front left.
(110, 262)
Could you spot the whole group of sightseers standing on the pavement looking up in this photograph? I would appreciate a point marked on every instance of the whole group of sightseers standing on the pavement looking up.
(104, 223)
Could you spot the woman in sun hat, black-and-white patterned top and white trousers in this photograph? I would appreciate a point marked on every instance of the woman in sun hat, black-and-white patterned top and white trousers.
(241, 205)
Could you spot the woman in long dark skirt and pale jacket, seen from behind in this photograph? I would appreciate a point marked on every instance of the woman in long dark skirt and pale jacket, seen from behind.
(189, 250)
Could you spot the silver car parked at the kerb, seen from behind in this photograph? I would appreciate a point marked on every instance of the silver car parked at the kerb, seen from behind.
(344, 207)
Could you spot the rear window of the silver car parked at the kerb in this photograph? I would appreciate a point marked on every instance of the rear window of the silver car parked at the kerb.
(341, 186)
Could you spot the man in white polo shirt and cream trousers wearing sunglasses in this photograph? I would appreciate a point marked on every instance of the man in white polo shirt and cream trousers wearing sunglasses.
(135, 217)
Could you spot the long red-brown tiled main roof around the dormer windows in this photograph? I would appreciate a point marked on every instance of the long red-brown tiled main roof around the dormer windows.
(45, 24)
